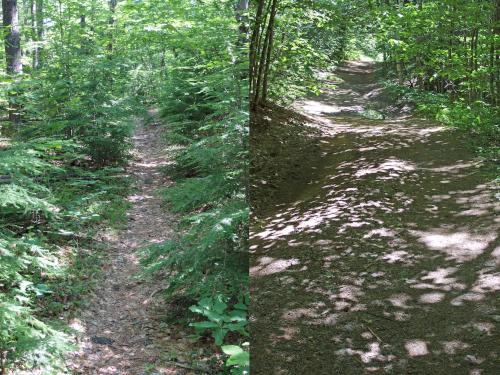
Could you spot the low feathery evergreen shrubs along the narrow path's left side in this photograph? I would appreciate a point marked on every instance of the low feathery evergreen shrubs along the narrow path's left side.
(45, 201)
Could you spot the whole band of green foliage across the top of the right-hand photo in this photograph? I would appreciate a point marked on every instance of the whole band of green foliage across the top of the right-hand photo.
(445, 52)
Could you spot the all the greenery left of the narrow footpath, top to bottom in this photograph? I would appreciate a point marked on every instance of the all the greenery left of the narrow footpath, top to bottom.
(60, 169)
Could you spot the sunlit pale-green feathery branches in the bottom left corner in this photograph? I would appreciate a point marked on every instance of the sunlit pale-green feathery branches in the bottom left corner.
(22, 335)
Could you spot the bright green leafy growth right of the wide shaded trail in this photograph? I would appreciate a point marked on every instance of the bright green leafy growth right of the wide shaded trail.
(448, 51)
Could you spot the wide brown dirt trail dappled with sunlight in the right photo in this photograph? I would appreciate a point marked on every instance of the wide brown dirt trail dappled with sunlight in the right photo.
(379, 249)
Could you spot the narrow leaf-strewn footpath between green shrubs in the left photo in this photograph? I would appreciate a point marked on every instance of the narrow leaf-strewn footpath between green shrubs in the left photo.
(120, 329)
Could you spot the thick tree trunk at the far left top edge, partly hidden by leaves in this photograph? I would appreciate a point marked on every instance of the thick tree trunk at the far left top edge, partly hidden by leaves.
(12, 49)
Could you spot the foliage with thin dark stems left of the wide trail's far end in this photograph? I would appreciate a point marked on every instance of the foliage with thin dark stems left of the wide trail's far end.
(292, 40)
